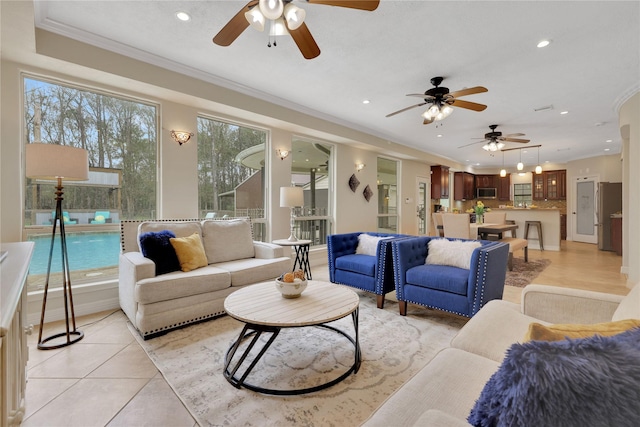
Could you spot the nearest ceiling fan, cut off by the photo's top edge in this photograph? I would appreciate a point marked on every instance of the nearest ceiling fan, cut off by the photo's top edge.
(283, 17)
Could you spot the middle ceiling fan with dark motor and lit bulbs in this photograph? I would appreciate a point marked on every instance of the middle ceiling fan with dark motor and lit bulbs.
(442, 101)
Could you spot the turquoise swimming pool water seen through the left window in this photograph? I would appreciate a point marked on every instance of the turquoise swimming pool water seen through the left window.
(85, 251)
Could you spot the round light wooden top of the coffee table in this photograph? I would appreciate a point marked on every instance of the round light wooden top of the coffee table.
(262, 304)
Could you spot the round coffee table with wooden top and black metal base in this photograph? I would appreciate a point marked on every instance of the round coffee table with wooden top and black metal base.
(263, 310)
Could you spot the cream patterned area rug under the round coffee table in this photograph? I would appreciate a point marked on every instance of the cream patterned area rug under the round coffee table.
(394, 348)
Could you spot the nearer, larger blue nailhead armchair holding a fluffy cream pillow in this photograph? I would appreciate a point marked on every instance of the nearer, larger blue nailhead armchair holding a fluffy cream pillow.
(443, 287)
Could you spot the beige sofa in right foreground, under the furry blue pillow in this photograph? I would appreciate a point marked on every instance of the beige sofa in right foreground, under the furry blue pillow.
(446, 389)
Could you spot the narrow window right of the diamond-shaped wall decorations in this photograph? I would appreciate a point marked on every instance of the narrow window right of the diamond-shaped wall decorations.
(387, 195)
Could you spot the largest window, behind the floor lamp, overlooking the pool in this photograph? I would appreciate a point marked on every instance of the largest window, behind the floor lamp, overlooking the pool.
(120, 136)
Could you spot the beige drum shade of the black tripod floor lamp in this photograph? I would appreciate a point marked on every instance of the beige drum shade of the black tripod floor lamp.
(52, 162)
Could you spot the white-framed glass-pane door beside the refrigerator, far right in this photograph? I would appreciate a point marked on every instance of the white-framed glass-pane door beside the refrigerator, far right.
(584, 210)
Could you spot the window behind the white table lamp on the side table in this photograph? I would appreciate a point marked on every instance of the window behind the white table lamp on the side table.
(310, 170)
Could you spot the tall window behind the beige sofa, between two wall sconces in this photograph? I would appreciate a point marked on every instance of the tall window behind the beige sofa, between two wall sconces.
(231, 167)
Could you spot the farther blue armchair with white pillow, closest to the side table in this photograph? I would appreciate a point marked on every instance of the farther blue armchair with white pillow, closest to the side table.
(371, 273)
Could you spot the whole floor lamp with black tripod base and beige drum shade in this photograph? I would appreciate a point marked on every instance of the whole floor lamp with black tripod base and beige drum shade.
(52, 162)
